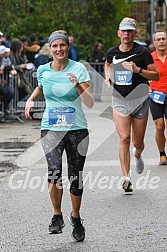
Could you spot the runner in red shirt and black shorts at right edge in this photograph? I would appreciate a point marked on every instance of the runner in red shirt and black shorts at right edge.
(158, 96)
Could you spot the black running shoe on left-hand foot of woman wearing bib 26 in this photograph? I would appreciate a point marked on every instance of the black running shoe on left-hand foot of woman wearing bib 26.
(57, 224)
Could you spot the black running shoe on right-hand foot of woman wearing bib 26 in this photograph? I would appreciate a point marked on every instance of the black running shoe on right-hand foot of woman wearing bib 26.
(78, 233)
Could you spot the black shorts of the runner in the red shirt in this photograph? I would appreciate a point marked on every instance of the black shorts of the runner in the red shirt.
(158, 110)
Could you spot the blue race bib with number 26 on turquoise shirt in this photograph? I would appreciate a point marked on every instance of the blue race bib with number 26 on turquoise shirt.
(62, 117)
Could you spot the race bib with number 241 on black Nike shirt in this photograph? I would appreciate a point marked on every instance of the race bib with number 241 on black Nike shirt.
(123, 77)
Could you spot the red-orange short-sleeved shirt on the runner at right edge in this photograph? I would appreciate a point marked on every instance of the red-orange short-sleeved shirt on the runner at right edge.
(160, 85)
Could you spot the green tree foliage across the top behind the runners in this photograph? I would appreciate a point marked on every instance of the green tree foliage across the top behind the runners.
(88, 20)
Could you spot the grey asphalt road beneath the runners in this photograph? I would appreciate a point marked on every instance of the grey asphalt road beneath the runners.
(113, 221)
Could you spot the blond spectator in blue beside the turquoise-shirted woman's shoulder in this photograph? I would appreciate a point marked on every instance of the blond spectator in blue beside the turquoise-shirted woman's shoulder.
(44, 56)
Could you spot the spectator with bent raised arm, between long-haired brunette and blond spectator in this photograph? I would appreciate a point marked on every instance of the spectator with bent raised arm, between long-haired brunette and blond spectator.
(32, 48)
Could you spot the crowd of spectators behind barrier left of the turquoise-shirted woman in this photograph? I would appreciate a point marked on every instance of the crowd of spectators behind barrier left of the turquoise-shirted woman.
(17, 57)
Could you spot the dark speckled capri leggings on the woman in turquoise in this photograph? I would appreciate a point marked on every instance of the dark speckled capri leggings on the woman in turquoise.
(75, 143)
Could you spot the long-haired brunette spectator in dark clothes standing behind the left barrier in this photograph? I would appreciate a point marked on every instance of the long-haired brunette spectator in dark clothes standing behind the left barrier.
(19, 60)
